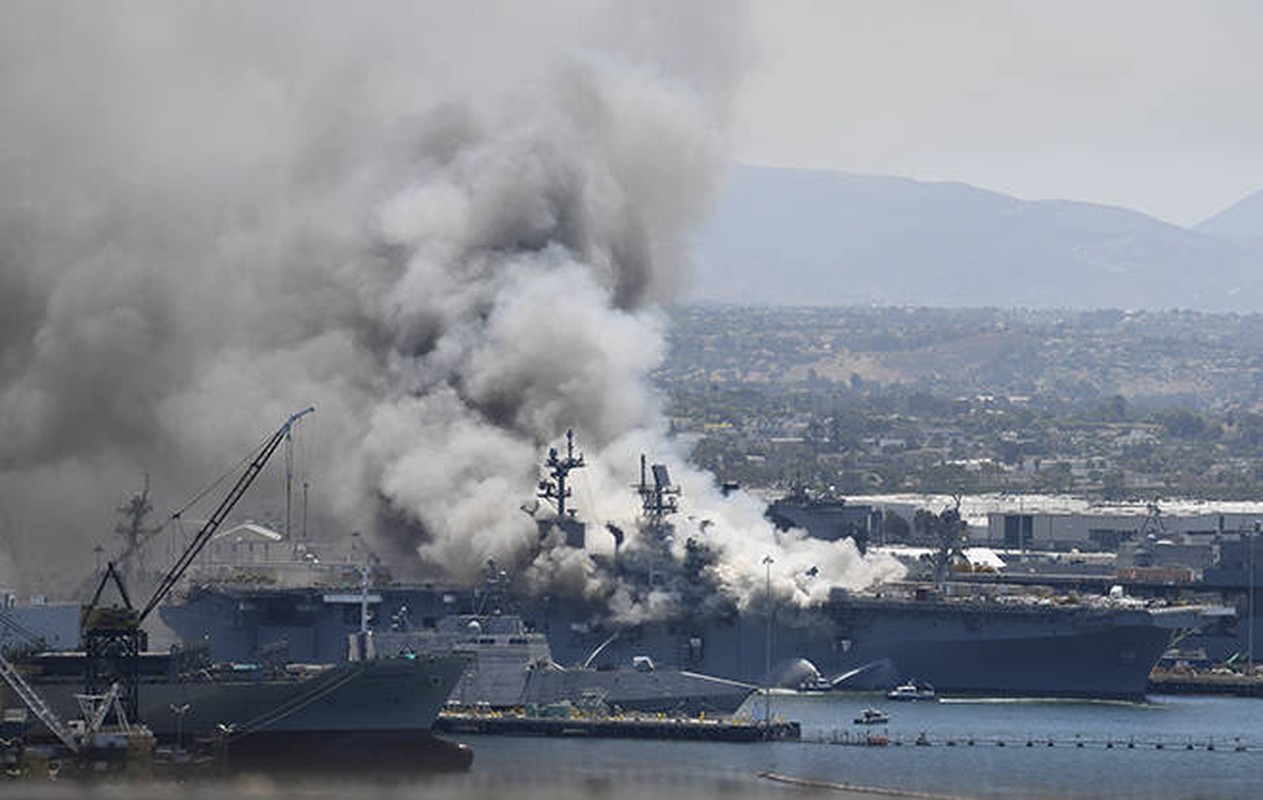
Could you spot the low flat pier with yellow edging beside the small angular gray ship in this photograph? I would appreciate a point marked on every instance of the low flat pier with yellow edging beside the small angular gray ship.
(635, 727)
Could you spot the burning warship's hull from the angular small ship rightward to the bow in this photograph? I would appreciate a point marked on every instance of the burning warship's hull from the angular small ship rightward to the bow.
(876, 645)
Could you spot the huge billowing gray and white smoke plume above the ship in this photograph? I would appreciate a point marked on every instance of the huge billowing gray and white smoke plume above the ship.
(446, 226)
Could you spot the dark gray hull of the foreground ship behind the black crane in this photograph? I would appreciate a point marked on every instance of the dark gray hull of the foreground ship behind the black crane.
(369, 706)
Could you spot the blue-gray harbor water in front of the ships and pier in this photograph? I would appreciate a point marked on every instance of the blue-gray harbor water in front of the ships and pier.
(1170, 748)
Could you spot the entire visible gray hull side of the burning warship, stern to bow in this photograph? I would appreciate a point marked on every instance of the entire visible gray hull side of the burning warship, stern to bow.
(977, 648)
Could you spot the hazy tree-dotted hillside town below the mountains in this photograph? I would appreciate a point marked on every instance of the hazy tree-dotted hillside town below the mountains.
(871, 400)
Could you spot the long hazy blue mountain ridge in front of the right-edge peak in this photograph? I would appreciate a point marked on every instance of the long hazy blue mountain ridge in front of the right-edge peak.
(794, 237)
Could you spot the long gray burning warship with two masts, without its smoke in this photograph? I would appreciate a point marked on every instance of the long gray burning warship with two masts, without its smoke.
(961, 639)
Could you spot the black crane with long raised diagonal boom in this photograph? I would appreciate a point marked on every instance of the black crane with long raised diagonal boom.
(113, 638)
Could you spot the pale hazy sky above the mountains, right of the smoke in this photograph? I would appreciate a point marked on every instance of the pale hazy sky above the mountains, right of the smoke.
(1150, 104)
